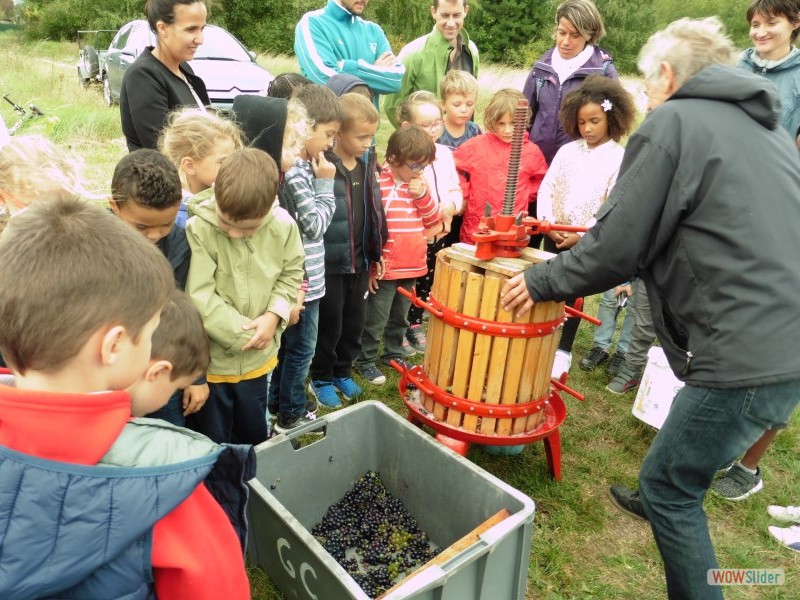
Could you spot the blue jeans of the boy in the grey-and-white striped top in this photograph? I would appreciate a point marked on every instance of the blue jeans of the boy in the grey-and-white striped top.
(287, 393)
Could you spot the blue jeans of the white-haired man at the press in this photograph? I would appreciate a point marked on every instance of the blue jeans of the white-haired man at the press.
(707, 428)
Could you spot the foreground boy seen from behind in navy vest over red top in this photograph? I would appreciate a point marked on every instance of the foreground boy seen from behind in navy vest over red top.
(80, 299)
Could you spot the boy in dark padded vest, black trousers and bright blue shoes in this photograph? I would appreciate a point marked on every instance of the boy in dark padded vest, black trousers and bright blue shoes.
(353, 245)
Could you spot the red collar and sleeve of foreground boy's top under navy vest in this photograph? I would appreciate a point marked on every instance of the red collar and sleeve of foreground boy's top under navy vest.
(196, 553)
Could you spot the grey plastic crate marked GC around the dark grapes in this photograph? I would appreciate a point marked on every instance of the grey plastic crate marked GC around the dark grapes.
(448, 495)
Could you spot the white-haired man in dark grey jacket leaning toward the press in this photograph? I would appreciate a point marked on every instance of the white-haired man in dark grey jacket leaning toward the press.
(706, 211)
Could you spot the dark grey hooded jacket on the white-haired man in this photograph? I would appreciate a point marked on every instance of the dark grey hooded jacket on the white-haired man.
(706, 211)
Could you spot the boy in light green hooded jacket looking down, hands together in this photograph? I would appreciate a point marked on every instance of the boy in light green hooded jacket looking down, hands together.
(247, 267)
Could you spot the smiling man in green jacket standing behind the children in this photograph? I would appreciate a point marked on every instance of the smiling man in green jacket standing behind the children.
(429, 57)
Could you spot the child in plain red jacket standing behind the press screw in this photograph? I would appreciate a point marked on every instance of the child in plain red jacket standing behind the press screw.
(482, 164)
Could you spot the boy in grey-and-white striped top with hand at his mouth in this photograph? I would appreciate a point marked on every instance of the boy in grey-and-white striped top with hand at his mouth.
(307, 193)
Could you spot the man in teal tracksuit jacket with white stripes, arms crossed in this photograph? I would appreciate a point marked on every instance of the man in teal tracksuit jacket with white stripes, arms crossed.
(335, 39)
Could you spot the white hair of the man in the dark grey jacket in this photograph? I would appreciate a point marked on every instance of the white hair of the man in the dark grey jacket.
(688, 46)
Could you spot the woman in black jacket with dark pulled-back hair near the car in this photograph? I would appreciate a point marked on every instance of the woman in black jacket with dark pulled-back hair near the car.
(160, 81)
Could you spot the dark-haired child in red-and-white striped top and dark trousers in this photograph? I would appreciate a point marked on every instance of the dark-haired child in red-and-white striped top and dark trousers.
(409, 210)
